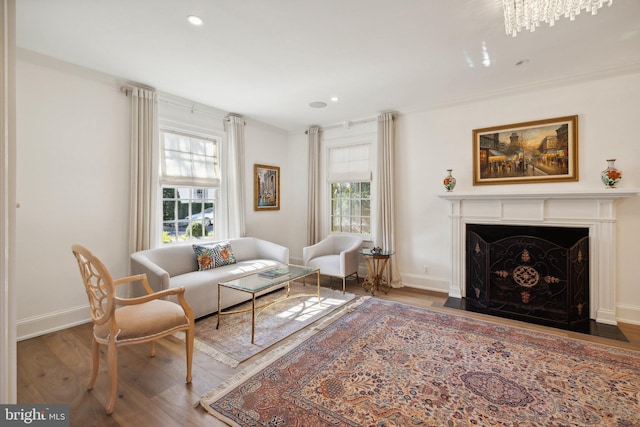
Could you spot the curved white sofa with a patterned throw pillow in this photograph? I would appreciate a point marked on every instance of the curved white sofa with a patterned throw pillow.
(173, 266)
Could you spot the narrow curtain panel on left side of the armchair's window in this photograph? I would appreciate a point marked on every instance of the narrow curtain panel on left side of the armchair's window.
(313, 203)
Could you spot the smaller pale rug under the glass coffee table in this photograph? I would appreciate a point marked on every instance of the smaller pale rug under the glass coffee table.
(231, 343)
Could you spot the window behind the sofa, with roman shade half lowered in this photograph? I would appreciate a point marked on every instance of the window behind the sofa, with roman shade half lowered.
(189, 183)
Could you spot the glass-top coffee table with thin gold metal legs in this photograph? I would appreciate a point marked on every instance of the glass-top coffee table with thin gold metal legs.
(263, 281)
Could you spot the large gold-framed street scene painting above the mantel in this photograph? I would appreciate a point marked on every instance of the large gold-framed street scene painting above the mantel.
(530, 152)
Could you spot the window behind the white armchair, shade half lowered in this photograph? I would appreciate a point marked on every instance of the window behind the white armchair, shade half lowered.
(349, 175)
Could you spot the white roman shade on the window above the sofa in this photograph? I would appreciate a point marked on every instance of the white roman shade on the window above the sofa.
(189, 161)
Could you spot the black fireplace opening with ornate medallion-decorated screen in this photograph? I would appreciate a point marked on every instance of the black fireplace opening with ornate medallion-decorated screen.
(538, 274)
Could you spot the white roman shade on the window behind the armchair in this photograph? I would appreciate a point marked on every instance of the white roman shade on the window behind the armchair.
(350, 163)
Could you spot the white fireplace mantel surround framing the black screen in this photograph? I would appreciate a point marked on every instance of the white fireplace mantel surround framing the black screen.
(583, 208)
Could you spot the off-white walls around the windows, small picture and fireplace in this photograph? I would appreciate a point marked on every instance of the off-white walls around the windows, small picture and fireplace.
(72, 173)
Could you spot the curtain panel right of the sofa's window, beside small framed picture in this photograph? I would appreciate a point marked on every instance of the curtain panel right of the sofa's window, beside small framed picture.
(232, 195)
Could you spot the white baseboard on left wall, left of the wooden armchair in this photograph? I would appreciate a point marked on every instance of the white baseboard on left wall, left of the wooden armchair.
(51, 322)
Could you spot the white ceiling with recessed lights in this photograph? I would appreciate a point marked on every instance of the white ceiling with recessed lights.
(268, 59)
